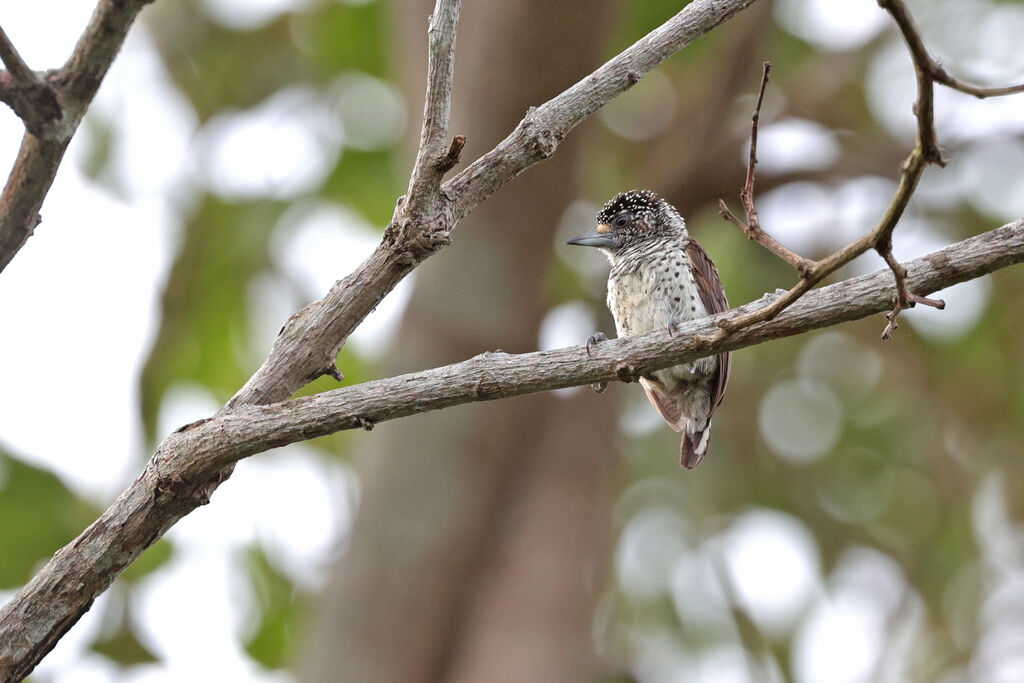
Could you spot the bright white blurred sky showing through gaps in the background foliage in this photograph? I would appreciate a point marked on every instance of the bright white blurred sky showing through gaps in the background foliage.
(86, 291)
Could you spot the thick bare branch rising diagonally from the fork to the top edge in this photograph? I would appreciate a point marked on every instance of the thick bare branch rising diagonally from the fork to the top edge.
(311, 341)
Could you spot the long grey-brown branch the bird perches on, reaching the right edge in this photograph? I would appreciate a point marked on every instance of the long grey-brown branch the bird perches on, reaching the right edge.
(165, 492)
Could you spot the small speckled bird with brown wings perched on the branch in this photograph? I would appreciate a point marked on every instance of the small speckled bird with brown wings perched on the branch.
(661, 277)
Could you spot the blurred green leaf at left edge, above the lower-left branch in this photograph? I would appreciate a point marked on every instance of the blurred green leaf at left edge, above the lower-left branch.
(38, 517)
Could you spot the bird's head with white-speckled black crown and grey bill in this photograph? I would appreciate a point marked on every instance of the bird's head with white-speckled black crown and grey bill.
(629, 220)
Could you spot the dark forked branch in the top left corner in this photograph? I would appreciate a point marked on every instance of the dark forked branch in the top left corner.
(52, 110)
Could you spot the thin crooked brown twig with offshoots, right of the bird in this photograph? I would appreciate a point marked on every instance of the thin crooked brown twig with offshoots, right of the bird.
(926, 152)
